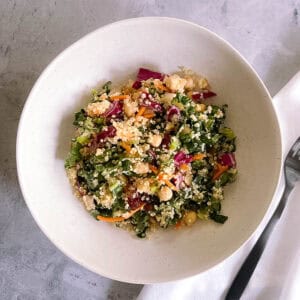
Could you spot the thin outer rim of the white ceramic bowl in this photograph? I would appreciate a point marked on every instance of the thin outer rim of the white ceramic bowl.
(48, 69)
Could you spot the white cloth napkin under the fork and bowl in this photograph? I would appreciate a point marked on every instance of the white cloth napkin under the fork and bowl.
(277, 274)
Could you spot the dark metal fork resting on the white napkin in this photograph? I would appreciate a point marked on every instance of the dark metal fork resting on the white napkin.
(291, 175)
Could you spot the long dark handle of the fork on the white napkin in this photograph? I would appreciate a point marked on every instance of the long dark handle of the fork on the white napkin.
(243, 276)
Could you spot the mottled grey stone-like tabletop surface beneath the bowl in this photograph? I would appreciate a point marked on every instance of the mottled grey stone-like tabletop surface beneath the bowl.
(32, 33)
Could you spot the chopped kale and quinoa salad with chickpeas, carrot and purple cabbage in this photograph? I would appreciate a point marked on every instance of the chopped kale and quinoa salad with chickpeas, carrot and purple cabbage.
(153, 153)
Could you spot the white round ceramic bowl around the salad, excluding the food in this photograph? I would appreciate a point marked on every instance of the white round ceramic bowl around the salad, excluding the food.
(115, 52)
